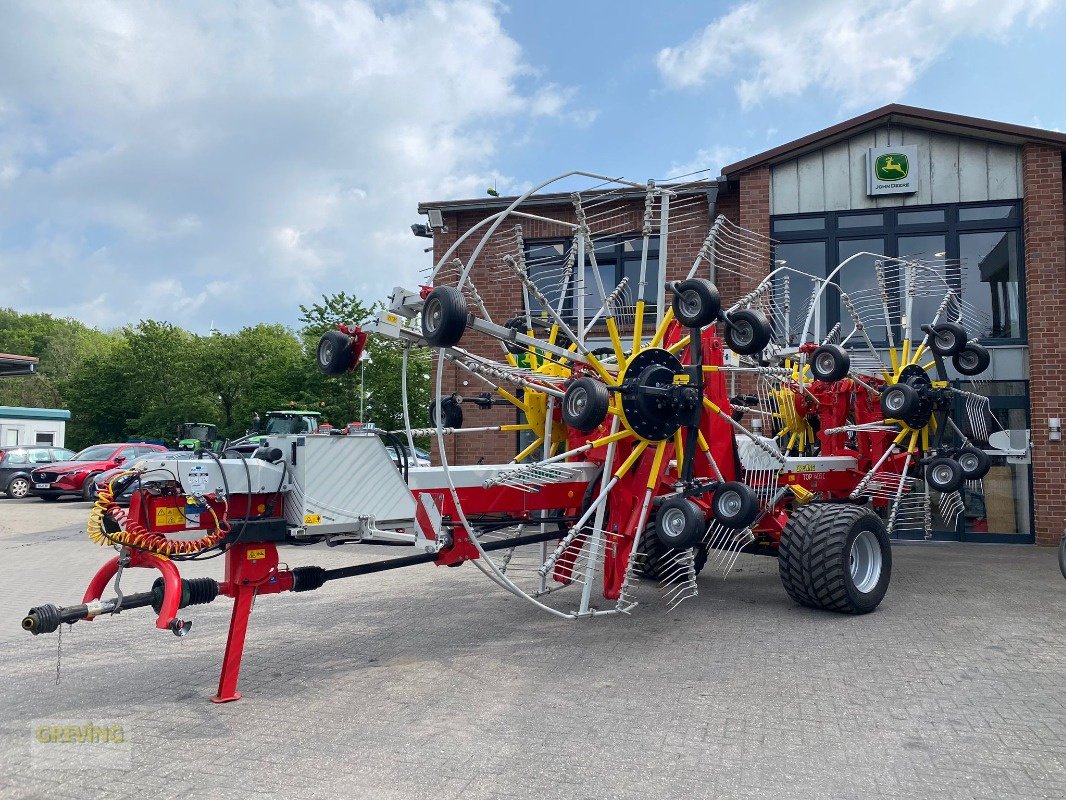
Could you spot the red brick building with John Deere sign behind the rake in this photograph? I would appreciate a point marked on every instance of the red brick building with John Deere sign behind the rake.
(987, 195)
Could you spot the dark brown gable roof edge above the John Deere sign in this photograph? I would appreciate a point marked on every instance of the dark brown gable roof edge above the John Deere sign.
(897, 115)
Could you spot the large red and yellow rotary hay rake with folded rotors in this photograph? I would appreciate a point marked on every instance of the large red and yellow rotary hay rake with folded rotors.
(637, 467)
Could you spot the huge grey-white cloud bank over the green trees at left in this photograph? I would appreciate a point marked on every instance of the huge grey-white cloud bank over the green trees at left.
(207, 162)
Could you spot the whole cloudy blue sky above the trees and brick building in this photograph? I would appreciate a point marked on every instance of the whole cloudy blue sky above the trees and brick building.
(221, 163)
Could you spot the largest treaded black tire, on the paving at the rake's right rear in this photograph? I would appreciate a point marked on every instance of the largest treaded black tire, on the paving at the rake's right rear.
(815, 558)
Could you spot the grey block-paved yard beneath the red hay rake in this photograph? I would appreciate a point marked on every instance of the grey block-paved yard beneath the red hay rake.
(432, 683)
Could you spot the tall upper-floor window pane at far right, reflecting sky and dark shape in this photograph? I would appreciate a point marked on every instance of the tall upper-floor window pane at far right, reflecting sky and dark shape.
(991, 281)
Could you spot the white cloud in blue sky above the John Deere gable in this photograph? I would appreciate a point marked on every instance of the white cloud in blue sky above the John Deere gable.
(865, 53)
